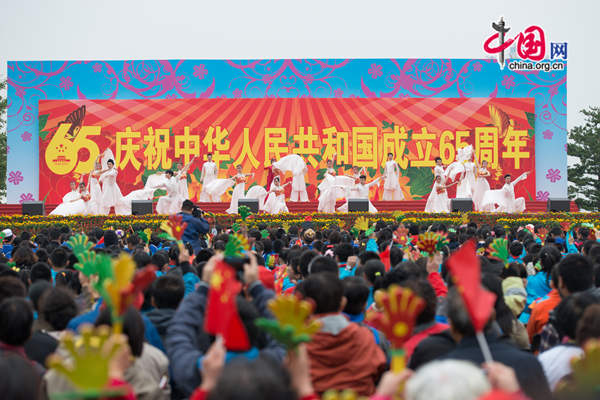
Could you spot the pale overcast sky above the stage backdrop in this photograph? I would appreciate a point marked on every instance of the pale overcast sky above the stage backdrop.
(250, 29)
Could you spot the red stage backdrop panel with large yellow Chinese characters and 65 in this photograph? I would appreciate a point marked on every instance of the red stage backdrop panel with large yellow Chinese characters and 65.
(150, 135)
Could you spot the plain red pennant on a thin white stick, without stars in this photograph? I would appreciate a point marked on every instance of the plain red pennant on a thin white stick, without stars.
(464, 267)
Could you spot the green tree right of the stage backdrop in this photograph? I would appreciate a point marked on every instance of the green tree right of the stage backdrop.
(584, 143)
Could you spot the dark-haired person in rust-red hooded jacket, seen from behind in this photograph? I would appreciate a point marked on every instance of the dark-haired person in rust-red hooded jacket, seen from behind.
(343, 355)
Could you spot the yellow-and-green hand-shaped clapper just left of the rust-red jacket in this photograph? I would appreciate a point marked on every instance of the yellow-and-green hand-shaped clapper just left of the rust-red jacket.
(291, 325)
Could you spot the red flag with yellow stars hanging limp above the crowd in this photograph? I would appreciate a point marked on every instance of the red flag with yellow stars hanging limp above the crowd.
(222, 317)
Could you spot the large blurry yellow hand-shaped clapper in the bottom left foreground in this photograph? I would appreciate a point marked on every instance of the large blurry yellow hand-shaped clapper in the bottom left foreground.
(87, 364)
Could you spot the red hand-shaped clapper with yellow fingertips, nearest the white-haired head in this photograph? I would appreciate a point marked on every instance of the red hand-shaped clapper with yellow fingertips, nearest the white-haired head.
(397, 320)
